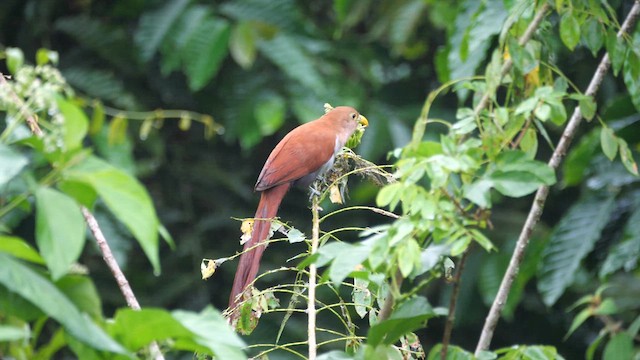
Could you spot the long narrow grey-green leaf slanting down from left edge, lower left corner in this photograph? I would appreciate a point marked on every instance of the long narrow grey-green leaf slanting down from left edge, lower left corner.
(25, 282)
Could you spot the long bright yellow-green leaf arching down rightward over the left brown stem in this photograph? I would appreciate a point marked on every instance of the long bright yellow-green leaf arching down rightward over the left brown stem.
(126, 198)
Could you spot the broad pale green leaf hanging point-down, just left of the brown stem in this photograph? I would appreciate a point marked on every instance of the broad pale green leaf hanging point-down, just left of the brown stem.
(60, 230)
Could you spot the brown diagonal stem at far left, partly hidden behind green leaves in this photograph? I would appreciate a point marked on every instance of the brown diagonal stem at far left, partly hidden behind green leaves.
(107, 254)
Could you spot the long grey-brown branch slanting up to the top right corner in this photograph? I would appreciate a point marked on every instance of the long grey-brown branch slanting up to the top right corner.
(541, 195)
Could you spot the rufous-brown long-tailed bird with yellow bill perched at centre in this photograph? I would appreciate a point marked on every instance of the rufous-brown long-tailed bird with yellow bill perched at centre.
(299, 158)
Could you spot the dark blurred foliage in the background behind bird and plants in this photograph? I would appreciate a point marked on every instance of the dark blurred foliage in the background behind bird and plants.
(261, 67)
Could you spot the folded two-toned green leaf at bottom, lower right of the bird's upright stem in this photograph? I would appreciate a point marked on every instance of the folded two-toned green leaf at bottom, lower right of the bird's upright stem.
(409, 316)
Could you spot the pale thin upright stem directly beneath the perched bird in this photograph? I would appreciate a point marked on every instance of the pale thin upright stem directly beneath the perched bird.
(313, 272)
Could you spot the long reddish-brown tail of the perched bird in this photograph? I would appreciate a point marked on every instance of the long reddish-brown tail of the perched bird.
(250, 261)
